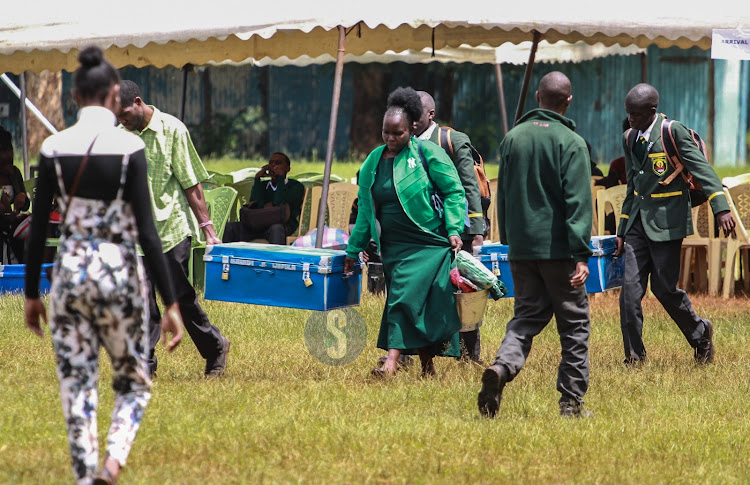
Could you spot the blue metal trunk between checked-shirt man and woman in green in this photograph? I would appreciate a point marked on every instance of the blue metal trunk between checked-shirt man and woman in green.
(283, 276)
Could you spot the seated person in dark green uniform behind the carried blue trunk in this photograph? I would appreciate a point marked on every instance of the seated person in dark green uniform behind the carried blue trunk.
(275, 191)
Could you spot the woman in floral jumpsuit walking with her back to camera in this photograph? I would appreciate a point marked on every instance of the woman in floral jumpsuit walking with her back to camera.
(98, 294)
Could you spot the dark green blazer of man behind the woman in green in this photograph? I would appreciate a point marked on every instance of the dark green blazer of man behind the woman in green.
(464, 163)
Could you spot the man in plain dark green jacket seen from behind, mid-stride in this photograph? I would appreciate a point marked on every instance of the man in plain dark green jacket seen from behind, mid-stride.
(545, 217)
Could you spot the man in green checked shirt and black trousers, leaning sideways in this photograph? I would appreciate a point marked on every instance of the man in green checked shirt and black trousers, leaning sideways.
(174, 174)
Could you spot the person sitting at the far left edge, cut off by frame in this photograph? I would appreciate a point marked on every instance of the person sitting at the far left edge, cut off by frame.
(13, 200)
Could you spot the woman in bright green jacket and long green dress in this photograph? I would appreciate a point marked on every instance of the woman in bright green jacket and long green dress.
(397, 185)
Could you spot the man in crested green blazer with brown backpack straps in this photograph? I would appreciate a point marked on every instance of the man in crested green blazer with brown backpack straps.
(655, 218)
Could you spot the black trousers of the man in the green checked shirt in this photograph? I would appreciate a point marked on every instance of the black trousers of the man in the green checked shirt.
(205, 336)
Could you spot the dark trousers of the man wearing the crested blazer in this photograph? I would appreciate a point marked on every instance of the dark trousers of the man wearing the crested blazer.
(660, 260)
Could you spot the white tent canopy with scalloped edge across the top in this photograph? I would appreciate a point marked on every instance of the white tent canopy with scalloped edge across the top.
(41, 34)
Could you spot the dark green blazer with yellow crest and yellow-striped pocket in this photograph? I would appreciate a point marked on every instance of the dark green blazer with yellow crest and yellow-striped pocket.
(665, 209)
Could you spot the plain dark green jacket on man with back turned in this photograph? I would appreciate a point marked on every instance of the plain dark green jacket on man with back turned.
(544, 189)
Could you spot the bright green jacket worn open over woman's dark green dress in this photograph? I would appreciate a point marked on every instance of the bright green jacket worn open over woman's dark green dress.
(414, 187)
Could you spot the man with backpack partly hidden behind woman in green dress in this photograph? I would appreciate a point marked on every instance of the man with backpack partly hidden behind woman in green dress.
(473, 234)
